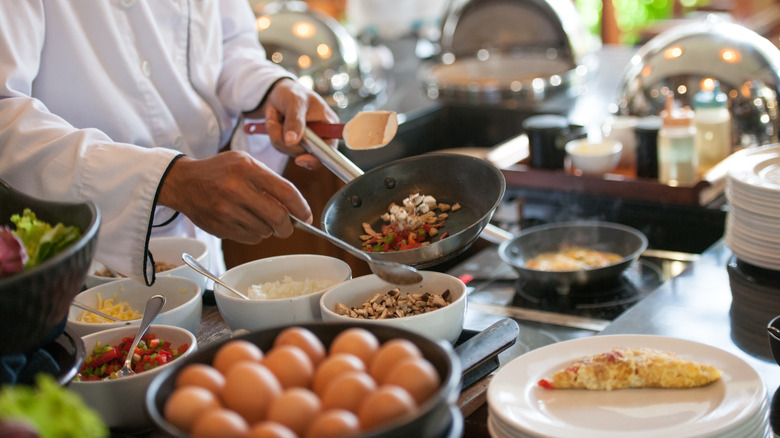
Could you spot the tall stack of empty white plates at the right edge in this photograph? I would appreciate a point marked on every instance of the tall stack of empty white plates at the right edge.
(753, 195)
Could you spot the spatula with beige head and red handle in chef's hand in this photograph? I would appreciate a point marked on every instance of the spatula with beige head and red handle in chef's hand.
(367, 130)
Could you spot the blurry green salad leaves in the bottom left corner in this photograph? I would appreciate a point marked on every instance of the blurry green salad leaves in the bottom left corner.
(51, 409)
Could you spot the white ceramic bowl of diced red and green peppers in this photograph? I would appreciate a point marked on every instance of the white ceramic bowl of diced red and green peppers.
(121, 402)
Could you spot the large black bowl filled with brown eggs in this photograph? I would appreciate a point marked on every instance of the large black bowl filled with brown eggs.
(432, 419)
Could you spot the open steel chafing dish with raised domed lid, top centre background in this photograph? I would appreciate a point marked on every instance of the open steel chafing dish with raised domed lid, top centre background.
(512, 53)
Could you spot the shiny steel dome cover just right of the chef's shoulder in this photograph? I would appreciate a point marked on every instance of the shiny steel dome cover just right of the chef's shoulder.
(317, 49)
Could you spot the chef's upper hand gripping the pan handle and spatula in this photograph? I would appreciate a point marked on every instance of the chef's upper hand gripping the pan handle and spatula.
(287, 108)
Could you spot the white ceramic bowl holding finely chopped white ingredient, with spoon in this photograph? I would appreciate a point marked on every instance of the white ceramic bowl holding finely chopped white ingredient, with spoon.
(253, 315)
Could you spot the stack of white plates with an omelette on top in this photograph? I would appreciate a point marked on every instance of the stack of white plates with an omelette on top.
(734, 406)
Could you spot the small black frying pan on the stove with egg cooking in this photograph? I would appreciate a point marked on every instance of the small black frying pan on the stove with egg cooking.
(595, 235)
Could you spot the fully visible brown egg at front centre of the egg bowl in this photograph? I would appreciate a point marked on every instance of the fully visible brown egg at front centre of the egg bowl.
(295, 408)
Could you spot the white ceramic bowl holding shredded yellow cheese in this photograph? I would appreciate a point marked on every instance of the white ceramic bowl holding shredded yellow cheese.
(183, 305)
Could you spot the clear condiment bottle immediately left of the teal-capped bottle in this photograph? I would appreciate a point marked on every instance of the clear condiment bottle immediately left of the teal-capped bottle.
(677, 160)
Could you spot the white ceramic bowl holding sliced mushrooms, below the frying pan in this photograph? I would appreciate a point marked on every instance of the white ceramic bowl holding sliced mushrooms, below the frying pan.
(445, 323)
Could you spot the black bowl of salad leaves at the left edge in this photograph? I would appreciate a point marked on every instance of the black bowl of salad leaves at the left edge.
(34, 303)
